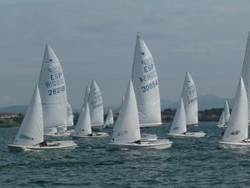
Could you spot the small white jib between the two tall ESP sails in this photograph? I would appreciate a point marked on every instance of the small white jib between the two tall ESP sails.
(83, 126)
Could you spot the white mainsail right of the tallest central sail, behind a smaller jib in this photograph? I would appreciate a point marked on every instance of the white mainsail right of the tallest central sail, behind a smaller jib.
(190, 100)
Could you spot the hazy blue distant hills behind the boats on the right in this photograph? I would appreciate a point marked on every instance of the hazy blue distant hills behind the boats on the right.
(204, 102)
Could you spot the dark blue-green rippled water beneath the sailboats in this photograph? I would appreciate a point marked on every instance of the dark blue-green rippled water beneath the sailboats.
(189, 163)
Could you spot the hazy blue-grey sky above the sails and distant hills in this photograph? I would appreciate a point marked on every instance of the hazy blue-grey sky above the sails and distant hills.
(95, 39)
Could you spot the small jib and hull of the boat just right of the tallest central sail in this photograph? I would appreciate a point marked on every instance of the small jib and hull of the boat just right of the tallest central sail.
(179, 125)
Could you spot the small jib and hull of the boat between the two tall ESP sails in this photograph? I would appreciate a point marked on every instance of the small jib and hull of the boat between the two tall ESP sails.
(83, 126)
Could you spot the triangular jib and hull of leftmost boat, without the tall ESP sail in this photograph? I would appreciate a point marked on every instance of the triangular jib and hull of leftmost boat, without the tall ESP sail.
(31, 132)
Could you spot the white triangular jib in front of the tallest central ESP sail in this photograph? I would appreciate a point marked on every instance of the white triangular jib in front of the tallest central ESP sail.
(127, 128)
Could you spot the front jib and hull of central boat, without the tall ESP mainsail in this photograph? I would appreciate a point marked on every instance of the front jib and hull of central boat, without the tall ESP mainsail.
(126, 132)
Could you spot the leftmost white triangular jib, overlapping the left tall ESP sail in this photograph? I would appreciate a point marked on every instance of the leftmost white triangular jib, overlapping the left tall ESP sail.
(31, 130)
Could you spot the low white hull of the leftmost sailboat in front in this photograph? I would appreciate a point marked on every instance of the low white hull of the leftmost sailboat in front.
(50, 145)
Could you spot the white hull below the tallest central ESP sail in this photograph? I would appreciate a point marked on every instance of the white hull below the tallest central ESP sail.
(156, 144)
